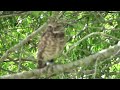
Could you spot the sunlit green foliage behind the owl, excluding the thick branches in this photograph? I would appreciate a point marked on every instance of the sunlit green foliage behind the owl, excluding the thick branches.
(80, 24)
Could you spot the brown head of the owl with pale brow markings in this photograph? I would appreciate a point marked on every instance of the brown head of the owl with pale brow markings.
(56, 27)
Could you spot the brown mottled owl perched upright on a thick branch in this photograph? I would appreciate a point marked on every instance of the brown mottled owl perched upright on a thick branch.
(51, 44)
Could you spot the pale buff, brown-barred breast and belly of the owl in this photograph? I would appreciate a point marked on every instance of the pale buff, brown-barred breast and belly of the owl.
(54, 46)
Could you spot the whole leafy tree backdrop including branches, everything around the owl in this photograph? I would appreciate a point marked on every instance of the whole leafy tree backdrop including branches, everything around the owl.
(92, 48)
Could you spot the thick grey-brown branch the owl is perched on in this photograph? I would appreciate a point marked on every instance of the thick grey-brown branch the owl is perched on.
(55, 69)
